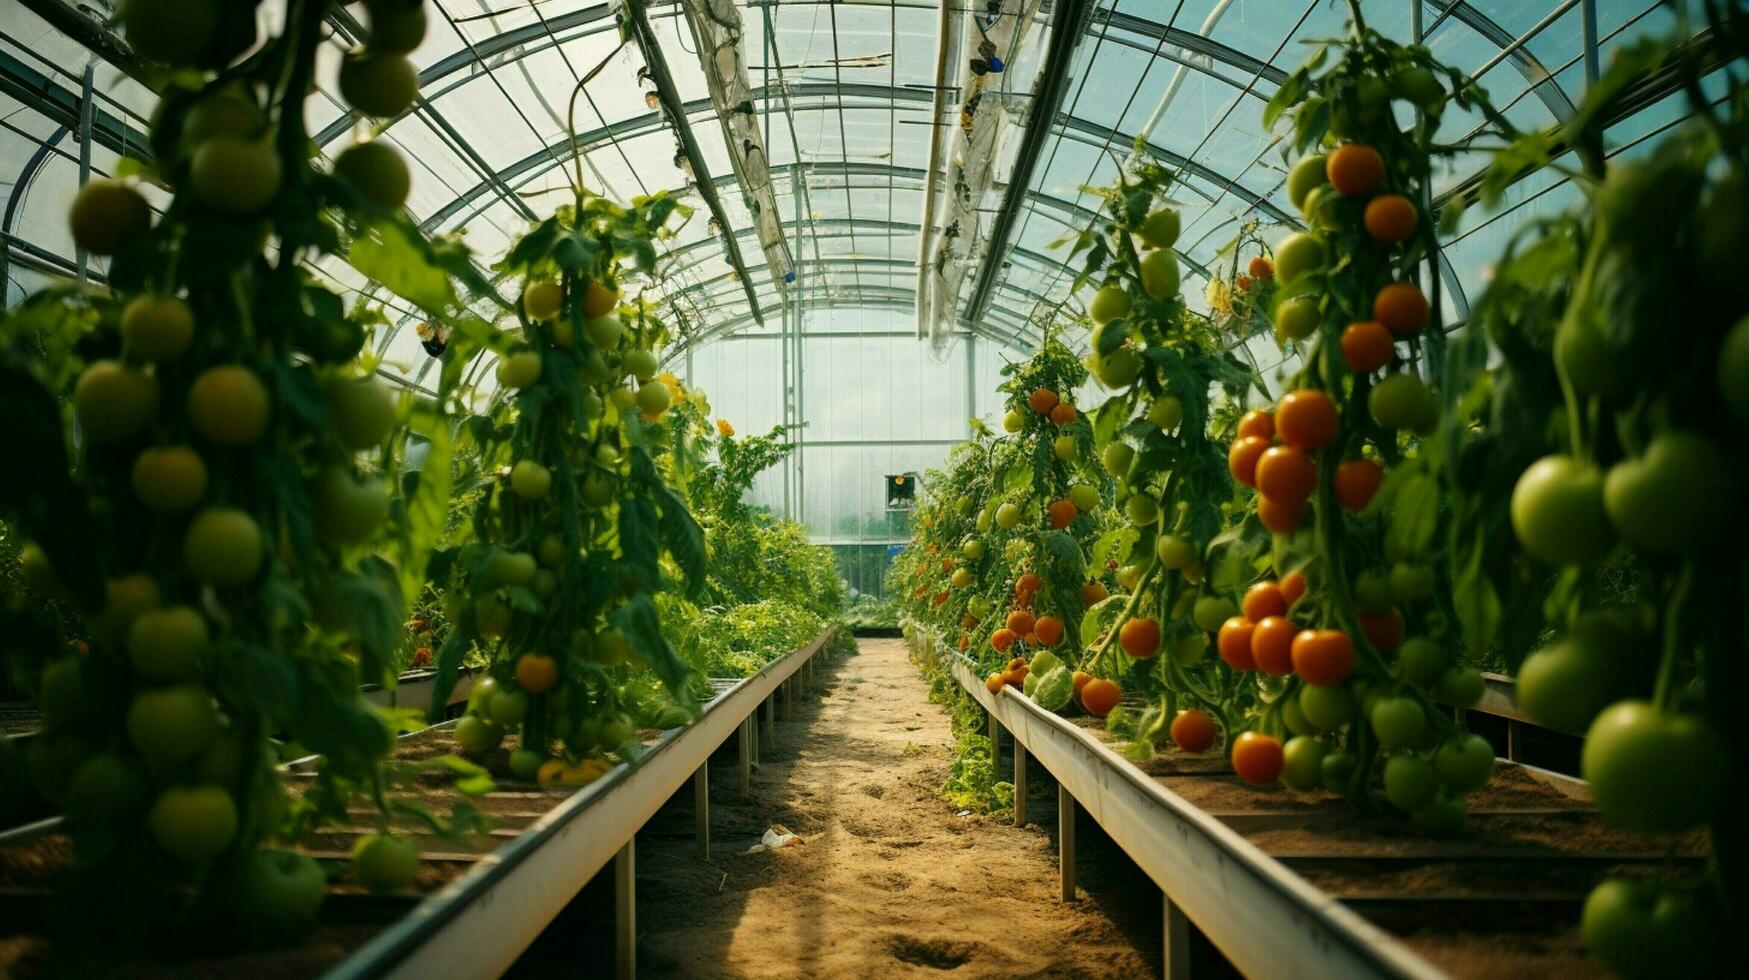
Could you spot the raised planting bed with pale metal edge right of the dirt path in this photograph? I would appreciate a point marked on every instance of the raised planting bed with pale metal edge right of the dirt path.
(1300, 885)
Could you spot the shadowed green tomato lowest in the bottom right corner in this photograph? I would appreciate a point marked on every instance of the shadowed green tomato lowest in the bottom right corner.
(1641, 930)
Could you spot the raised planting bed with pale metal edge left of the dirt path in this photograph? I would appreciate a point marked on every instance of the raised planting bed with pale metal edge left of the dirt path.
(478, 900)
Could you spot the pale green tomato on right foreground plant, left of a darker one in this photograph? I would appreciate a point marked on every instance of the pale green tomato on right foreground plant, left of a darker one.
(1559, 512)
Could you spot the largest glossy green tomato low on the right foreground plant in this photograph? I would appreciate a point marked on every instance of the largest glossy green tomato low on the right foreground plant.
(1654, 771)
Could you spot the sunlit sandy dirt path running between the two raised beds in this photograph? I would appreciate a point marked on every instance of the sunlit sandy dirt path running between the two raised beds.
(891, 881)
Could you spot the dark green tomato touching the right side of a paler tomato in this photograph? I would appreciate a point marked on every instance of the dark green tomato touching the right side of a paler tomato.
(1676, 498)
